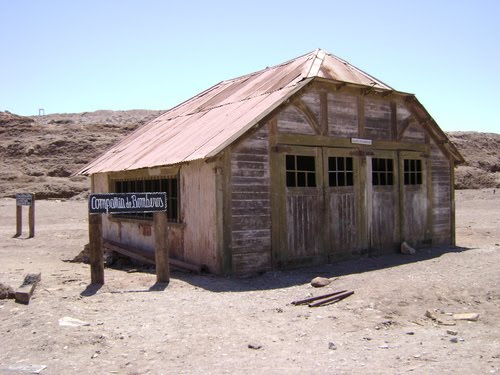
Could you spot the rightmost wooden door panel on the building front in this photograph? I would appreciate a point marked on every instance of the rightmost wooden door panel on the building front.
(414, 201)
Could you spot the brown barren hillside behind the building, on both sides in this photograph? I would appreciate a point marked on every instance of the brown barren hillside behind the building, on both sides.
(39, 153)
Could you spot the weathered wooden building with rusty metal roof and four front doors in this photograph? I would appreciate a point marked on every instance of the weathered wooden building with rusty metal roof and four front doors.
(302, 163)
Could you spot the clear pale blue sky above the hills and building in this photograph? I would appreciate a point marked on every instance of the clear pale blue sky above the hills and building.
(77, 56)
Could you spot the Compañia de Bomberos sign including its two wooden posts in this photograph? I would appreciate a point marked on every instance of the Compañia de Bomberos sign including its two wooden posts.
(111, 203)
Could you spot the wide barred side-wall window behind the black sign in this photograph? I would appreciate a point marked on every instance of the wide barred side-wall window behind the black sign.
(169, 185)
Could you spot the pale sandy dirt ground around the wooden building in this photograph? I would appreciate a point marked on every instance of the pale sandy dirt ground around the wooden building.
(202, 324)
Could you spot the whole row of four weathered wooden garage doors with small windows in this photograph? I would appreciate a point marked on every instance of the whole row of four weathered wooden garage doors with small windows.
(336, 202)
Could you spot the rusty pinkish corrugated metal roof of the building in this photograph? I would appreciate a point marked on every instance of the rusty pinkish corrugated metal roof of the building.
(207, 123)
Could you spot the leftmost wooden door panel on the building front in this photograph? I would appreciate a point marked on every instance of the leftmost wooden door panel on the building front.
(303, 214)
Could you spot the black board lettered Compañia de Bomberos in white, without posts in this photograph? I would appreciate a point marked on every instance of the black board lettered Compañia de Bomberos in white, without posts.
(127, 202)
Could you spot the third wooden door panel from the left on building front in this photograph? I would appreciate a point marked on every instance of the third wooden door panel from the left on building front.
(383, 201)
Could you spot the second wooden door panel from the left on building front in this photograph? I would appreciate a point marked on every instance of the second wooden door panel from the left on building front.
(342, 188)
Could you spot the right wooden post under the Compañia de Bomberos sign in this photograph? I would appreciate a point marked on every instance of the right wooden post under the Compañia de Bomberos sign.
(161, 247)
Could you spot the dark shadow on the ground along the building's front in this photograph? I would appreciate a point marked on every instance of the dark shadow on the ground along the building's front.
(288, 278)
